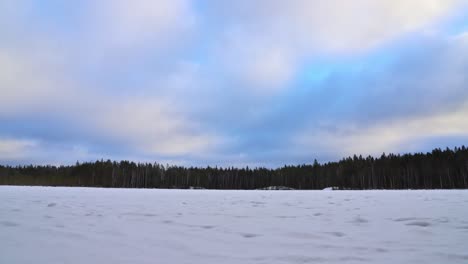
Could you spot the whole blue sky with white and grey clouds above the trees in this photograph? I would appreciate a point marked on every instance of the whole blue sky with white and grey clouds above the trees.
(230, 83)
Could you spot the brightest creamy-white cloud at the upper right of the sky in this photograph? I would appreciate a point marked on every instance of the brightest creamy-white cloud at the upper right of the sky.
(359, 25)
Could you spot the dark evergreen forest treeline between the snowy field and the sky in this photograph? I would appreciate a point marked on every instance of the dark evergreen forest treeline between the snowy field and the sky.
(439, 169)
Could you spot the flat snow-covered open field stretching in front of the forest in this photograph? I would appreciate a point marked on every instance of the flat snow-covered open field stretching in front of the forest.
(89, 225)
